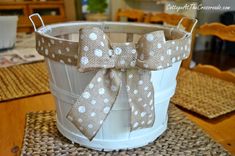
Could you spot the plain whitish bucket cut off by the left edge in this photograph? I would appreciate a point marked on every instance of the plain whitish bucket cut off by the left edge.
(8, 27)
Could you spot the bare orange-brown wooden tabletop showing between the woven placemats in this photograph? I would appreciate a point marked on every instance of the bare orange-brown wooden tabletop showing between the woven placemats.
(12, 121)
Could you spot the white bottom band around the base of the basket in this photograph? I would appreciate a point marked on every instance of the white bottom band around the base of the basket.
(112, 145)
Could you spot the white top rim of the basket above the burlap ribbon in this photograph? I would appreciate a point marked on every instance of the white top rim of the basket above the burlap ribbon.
(47, 29)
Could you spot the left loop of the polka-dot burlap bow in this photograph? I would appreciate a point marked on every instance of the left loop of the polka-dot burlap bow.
(94, 51)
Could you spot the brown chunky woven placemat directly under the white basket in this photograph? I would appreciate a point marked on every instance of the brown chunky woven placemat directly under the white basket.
(181, 138)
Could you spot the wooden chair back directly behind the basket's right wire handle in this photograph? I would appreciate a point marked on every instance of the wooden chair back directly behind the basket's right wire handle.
(174, 19)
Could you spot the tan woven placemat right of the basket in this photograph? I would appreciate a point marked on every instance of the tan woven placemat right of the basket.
(204, 94)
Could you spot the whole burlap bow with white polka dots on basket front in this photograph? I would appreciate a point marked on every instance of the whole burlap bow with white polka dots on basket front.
(117, 65)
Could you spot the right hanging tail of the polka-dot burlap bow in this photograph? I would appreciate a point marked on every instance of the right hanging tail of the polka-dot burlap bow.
(141, 98)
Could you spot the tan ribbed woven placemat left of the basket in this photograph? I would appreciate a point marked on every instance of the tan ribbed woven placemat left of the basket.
(23, 80)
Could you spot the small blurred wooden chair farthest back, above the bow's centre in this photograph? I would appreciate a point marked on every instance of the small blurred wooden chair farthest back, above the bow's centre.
(131, 15)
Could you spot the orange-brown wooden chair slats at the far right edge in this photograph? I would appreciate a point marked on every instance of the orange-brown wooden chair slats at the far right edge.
(225, 33)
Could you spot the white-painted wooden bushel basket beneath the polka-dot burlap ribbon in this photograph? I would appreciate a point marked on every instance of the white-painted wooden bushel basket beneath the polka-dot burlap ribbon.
(67, 85)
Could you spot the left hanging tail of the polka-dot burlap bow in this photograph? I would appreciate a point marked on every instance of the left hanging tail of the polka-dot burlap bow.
(95, 103)
